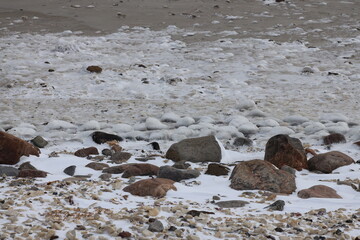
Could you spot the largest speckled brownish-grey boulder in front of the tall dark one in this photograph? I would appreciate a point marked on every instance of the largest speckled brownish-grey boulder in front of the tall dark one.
(261, 175)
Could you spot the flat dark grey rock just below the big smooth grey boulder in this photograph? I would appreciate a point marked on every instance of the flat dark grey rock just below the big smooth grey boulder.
(177, 174)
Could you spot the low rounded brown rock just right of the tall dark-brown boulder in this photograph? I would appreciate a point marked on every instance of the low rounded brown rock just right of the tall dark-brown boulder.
(327, 162)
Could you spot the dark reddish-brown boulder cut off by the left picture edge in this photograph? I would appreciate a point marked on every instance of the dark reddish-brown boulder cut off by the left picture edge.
(12, 148)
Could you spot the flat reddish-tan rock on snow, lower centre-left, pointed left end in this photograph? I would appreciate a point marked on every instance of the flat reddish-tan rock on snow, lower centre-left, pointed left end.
(156, 187)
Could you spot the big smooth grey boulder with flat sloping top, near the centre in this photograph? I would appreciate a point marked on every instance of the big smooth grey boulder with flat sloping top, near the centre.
(202, 149)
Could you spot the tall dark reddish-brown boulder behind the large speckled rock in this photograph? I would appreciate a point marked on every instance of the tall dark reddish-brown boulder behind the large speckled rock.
(284, 150)
